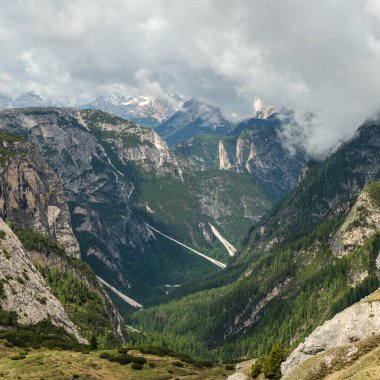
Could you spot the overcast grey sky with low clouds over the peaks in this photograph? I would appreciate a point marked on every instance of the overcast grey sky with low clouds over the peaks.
(321, 56)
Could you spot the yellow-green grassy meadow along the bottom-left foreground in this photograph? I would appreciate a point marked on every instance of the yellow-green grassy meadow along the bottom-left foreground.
(61, 365)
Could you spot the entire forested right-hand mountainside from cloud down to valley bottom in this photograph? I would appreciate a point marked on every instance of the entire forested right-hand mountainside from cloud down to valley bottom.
(280, 290)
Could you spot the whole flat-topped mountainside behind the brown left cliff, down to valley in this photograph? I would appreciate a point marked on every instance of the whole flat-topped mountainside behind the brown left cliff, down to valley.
(118, 176)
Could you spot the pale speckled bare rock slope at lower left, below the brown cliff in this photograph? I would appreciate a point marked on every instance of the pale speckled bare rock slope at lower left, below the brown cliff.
(24, 289)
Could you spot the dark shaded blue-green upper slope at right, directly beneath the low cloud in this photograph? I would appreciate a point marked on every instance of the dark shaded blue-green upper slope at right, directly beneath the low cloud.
(334, 181)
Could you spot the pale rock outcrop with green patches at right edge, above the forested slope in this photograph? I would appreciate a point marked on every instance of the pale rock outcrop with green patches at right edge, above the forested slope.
(361, 223)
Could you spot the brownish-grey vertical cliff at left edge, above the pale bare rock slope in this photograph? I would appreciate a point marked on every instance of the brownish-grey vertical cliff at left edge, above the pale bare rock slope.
(31, 194)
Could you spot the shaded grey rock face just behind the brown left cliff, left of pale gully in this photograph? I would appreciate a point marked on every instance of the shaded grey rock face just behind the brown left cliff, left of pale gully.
(99, 198)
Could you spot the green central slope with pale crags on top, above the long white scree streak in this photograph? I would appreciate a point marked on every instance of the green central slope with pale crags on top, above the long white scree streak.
(205, 196)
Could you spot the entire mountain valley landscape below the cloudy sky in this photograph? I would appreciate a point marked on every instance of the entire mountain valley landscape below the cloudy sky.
(137, 229)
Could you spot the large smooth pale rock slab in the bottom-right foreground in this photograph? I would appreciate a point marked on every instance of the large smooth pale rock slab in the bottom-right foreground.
(358, 322)
